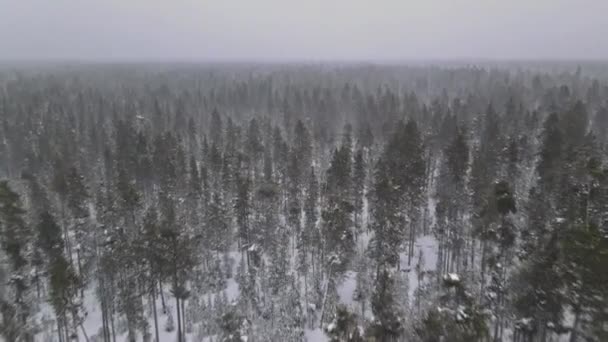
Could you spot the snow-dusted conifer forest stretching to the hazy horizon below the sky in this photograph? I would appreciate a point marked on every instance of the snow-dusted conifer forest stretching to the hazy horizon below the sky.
(312, 202)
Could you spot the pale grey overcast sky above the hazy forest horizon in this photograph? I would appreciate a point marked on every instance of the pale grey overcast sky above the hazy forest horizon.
(303, 29)
